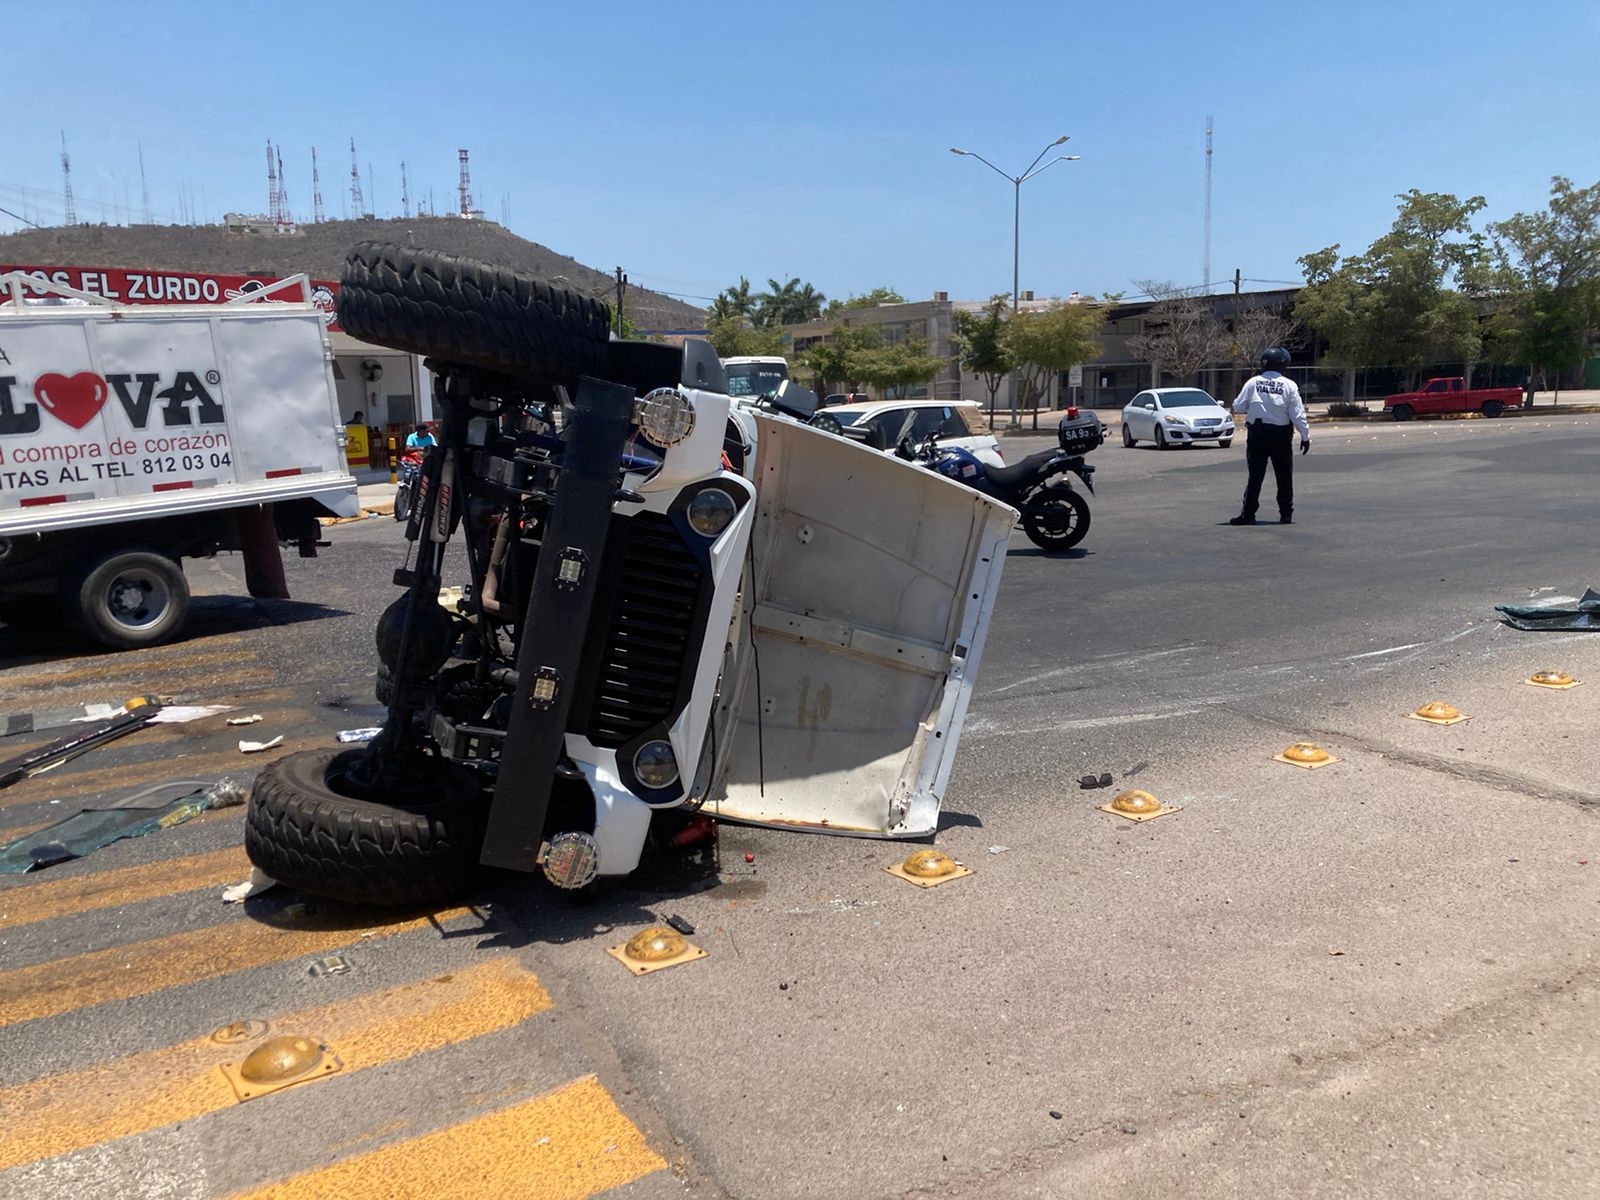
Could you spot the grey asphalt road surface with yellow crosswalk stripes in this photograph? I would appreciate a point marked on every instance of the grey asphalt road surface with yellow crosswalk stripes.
(1378, 978)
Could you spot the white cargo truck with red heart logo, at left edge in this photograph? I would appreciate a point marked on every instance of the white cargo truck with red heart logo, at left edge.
(134, 438)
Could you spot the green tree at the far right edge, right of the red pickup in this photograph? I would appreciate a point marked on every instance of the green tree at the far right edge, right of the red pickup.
(1550, 282)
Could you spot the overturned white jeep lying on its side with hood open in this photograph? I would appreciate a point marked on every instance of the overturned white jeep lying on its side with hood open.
(668, 606)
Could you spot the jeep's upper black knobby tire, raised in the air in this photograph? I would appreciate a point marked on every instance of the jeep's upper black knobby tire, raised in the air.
(471, 313)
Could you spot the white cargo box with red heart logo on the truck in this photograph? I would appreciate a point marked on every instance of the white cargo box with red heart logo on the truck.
(124, 414)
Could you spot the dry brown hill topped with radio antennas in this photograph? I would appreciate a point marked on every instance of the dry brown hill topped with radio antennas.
(319, 250)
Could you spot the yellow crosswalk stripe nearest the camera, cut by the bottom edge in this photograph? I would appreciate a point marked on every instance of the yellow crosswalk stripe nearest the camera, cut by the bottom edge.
(567, 1145)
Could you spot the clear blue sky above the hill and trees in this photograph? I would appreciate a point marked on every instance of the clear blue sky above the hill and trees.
(698, 143)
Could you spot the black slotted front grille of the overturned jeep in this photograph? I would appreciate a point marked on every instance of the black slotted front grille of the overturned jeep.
(650, 633)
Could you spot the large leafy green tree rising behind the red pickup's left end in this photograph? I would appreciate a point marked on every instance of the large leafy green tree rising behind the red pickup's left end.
(1410, 300)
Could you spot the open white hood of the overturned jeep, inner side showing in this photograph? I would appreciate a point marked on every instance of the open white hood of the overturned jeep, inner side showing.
(873, 590)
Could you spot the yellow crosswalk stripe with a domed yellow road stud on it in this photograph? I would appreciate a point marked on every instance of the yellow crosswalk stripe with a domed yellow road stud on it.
(178, 1084)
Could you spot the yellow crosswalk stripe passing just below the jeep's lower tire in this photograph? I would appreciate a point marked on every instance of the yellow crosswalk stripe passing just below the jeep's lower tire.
(142, 969)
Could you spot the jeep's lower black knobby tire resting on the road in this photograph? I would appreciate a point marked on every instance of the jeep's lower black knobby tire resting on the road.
(303, 830)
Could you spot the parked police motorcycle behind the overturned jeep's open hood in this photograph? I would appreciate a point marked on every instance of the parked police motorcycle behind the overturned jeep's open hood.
(1055, 518)
